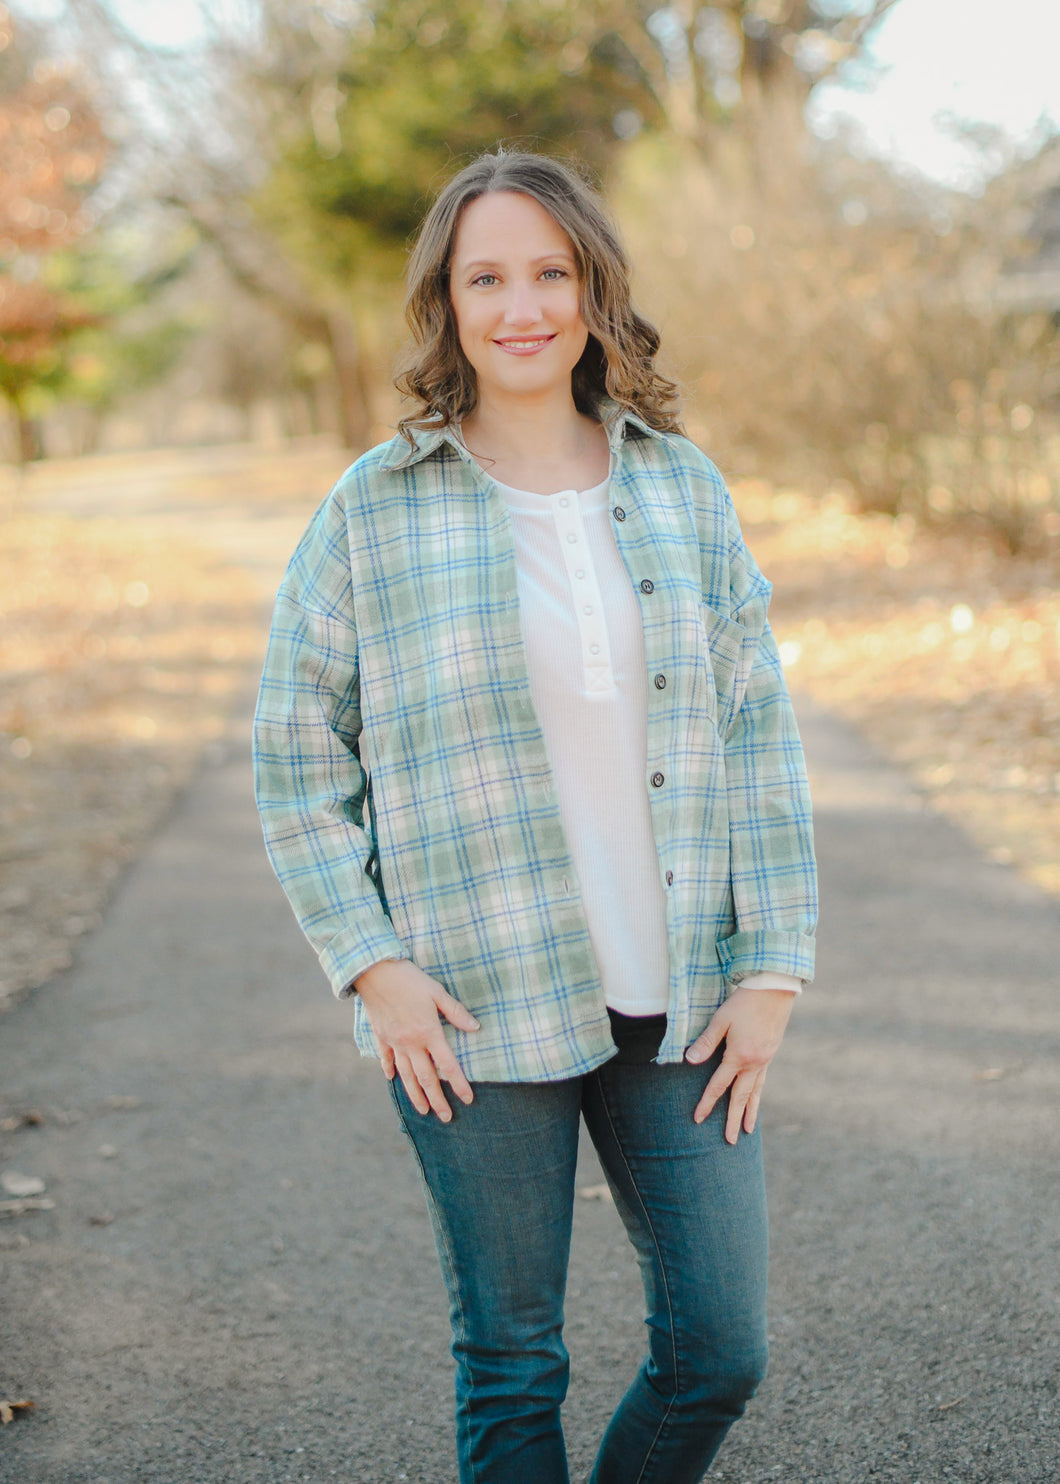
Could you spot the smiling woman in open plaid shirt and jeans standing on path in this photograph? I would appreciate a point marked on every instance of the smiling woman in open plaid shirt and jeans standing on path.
(531, 778)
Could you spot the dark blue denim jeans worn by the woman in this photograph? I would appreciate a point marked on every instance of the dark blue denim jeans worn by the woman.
(501, 1191)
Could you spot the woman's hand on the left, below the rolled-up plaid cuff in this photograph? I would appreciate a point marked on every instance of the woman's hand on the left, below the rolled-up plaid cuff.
(403, 1007)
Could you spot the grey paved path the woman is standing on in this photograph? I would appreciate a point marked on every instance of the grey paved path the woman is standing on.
(237, 1281)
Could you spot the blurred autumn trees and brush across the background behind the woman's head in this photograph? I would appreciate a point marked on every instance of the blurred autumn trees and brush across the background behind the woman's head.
(206, 241)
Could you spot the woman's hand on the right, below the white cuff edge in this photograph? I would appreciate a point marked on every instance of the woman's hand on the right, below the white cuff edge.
(752, 1025)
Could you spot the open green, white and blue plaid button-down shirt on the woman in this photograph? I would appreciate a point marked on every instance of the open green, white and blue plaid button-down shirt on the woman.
(406, 793)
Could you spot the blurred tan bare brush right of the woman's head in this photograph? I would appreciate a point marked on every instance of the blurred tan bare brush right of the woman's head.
(875, 348)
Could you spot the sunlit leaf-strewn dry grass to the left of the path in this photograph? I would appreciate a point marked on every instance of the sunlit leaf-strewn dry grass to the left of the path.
(121, 648)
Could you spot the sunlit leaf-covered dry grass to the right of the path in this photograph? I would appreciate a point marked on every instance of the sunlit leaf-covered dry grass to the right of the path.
(942, 649)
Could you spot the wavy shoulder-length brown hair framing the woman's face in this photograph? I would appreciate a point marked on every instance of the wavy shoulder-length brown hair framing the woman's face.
(620, 355)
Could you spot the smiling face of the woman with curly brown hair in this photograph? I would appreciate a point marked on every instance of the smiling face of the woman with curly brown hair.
(516, 298)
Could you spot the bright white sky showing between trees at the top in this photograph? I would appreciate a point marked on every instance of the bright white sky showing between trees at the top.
(936, 60)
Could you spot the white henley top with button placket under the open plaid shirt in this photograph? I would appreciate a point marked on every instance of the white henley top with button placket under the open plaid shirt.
(589, 680)
